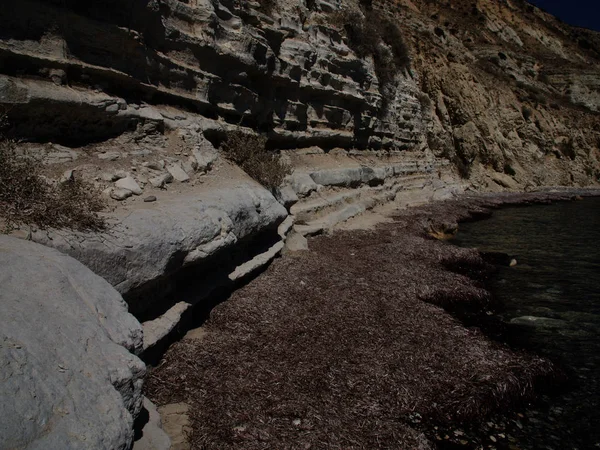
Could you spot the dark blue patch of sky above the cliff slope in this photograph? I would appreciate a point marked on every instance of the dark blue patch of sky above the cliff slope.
(582, 13)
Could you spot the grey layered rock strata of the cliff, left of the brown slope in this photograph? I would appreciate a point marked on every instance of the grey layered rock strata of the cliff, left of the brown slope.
(226, 61)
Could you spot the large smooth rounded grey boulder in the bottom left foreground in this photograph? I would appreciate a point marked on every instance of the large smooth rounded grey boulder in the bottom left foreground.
(69, 377)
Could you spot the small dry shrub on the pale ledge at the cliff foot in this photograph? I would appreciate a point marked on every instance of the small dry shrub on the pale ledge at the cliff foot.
(249, 152)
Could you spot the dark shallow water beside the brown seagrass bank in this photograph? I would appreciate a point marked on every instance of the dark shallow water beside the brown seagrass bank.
(551, 307)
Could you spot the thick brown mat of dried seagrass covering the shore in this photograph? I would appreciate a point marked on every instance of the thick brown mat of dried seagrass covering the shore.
(261, 329)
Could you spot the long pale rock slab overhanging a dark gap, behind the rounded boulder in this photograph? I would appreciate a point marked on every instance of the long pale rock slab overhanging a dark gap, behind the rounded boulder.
(150, 244)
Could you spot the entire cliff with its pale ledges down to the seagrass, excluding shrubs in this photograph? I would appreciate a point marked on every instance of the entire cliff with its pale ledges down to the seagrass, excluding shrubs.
(367, 102)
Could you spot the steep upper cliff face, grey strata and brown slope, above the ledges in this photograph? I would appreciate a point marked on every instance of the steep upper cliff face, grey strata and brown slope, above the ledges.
(502, 89)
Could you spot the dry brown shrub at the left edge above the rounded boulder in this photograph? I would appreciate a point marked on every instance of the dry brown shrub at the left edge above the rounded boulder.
(26, 197)
